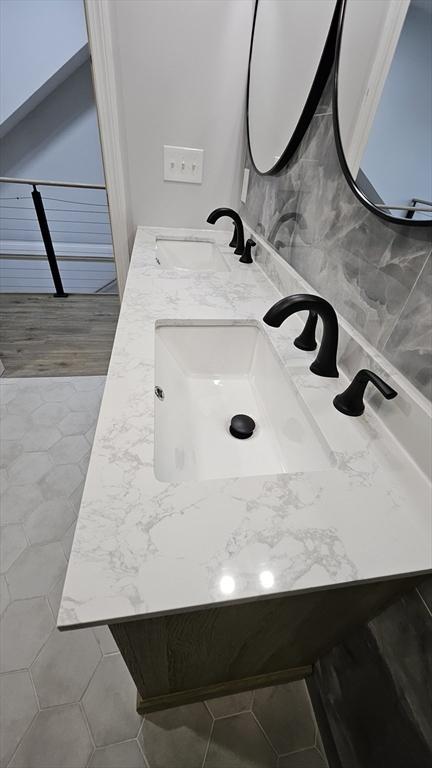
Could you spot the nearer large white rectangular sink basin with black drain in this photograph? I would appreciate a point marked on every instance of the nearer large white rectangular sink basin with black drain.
(205, 375)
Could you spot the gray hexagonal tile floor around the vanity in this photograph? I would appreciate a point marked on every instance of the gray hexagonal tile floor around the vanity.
(67, 699)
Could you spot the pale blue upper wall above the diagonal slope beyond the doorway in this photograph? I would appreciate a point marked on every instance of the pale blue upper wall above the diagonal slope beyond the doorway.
(37, 37)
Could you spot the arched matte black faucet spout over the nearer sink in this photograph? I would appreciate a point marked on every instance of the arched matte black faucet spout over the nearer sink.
(325, 361)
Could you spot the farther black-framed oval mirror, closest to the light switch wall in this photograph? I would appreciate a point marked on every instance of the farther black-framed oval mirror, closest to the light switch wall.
(292, 51)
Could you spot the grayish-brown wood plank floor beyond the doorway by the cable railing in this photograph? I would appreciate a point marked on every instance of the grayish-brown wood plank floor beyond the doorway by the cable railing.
(45, 336)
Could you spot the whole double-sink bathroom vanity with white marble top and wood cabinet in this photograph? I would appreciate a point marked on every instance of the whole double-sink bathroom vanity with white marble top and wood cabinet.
(223, 565)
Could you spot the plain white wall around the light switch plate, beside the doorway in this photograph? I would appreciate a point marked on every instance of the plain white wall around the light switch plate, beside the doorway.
(181, 67)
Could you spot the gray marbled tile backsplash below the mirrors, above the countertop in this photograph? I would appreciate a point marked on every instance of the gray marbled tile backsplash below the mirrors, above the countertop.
(377, 274)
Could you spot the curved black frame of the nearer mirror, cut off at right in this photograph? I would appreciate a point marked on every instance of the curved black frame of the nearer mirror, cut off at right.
(341, 155)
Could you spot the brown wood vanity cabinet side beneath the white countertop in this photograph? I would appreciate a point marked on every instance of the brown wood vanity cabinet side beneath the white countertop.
(186, 657)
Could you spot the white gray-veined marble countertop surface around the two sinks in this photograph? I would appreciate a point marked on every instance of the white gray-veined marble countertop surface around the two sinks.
(144, 548)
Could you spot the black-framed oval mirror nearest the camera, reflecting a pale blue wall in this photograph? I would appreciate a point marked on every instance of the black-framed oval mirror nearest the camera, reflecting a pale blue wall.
(383, 105)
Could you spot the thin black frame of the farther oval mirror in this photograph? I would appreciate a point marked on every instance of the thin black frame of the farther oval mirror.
(315, 93)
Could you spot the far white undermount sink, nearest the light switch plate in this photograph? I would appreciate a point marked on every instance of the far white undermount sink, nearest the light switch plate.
(197, 255)
